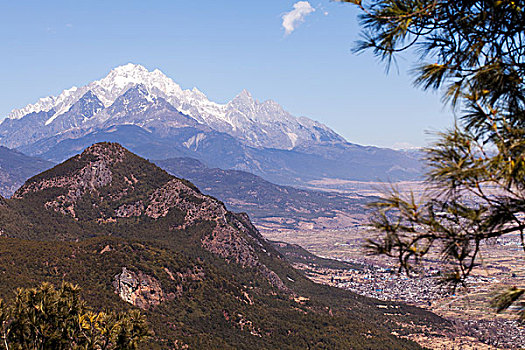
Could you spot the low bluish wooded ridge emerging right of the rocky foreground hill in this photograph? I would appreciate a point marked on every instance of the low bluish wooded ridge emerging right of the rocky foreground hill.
(245, 192)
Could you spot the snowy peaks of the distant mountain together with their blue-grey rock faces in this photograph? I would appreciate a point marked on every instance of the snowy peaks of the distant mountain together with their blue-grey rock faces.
(131, 89)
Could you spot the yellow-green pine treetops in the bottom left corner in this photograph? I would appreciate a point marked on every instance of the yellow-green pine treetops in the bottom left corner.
(49, 318)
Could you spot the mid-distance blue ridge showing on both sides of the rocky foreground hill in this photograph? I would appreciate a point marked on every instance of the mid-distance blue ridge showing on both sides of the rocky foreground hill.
(271, 206)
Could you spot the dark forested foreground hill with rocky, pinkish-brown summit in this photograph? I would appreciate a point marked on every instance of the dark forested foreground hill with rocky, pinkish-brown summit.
(207, 277)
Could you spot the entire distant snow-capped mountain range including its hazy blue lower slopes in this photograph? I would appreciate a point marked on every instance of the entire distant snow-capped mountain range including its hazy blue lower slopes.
(154, 117)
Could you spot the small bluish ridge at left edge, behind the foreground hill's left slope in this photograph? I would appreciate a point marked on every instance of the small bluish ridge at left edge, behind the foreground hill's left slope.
(16, 167)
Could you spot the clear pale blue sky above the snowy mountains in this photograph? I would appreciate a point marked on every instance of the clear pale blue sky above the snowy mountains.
(221, 47)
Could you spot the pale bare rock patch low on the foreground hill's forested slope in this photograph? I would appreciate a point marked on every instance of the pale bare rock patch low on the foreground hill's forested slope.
(138, 289)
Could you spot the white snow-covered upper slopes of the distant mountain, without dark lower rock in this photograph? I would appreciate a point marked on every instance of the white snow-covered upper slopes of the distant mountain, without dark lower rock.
(256, 124)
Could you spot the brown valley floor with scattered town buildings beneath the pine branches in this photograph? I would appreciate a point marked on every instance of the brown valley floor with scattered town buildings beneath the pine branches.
(503, 265)
